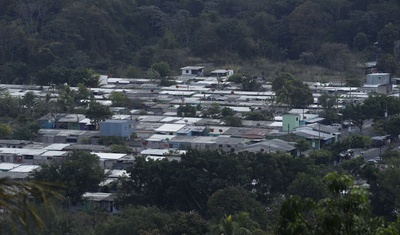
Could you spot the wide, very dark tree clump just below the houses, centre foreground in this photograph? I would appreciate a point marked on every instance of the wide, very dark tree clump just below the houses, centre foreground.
(188, 184)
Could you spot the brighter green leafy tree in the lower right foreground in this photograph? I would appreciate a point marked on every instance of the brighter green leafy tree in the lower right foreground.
(346, 211)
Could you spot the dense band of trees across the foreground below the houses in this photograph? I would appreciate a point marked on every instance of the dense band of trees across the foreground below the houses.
(213, 192)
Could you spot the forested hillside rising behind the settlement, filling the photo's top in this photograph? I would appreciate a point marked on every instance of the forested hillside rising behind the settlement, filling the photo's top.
(47, 41)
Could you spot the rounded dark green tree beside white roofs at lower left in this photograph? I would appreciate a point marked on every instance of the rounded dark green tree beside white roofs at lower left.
(80, 172)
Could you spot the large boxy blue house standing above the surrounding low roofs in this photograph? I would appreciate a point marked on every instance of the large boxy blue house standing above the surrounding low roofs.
(121, 128)
